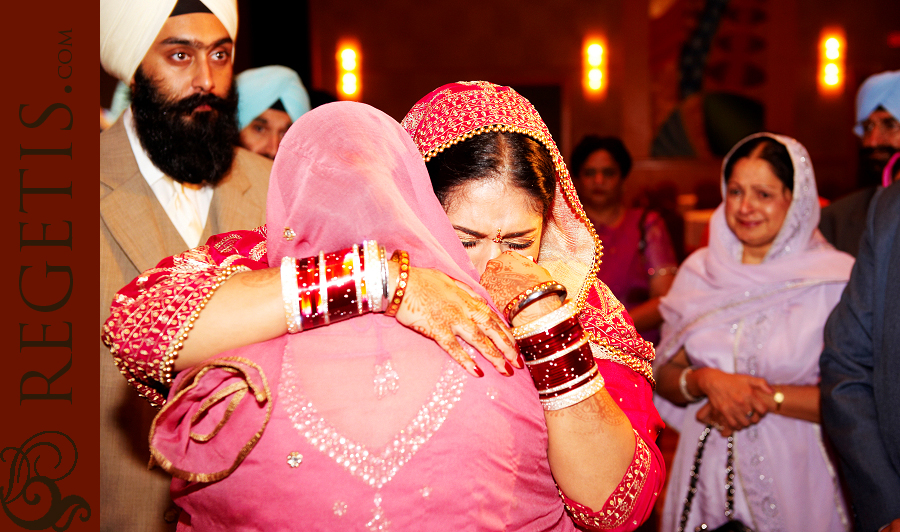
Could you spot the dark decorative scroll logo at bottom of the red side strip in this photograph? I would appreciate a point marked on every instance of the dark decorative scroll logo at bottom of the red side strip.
(31, 499)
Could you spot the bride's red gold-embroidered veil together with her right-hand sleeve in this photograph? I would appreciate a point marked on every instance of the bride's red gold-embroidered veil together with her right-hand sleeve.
(571, 252)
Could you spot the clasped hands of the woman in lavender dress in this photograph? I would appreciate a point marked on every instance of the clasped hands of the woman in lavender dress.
(732, 397)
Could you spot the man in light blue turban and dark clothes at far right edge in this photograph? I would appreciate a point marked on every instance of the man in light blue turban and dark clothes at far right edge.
(877, 125)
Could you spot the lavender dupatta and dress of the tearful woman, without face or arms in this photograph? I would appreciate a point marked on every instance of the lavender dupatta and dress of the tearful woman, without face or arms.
(765, 320)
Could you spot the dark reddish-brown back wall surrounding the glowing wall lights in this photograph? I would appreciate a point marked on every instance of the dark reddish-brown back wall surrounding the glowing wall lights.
(409, 48)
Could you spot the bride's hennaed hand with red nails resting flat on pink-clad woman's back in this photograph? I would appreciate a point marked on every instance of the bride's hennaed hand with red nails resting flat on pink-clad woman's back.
(437, 306)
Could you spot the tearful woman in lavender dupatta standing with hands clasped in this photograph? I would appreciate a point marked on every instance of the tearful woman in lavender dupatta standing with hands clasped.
(740, 347)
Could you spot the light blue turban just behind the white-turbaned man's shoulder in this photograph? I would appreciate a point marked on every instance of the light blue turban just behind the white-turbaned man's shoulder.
(260, 88)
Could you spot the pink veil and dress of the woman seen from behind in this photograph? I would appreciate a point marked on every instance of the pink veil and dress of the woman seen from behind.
(292, 434)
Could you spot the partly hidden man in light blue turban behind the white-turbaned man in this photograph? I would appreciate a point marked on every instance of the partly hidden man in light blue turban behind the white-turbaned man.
(270, 99)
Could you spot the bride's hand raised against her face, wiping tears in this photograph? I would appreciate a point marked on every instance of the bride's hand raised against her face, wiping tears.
(509, 275)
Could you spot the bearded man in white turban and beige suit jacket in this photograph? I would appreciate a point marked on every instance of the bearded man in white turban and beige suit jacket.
(170, 177)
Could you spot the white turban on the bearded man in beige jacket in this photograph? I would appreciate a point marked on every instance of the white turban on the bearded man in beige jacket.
(129, 27)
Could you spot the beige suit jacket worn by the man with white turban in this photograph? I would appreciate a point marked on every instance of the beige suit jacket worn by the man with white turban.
(135, 234)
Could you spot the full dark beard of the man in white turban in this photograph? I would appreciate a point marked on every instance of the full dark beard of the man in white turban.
(190, 148)
